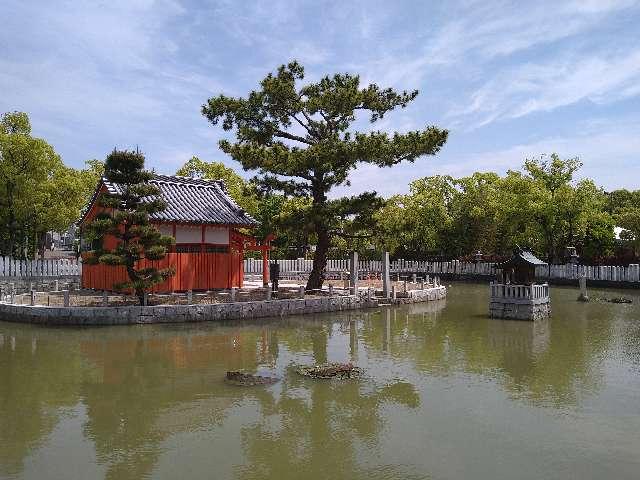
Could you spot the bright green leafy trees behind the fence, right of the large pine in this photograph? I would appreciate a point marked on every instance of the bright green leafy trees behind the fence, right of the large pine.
(541, 208)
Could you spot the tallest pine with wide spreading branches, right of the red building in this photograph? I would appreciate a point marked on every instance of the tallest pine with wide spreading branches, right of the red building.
(300, 142)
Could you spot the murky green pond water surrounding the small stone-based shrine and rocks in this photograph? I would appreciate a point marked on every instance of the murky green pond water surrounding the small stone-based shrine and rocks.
(447, 394)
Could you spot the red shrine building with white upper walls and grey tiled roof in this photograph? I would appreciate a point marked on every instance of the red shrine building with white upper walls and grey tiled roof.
(203, 219)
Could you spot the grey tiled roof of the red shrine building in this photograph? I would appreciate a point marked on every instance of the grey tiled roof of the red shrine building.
(190, 200)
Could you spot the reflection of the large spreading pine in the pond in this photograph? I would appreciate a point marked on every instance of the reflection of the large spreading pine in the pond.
(318, 434)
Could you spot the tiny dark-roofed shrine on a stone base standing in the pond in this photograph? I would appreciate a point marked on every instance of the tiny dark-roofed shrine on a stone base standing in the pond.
(518, 297)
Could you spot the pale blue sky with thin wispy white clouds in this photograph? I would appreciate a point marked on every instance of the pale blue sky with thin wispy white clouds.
(509, 80)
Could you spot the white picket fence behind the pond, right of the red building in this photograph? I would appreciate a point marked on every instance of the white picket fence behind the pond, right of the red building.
(628, 273)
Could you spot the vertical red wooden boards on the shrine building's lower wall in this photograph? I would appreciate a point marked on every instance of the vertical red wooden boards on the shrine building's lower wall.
(194, 271)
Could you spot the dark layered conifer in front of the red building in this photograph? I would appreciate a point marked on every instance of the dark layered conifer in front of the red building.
(127, 220)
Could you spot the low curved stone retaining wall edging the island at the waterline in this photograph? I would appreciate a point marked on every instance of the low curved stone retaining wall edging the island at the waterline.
(129, 315)
